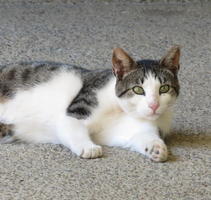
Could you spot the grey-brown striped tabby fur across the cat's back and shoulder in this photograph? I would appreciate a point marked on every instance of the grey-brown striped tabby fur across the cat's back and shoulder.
(25, 75)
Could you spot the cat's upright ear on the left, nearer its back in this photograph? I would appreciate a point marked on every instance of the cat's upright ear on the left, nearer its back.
(122, 63)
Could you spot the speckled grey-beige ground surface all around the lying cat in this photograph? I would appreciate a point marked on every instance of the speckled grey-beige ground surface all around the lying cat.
(84, 32)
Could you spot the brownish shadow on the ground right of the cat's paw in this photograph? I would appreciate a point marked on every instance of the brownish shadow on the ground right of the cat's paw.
(187, 139)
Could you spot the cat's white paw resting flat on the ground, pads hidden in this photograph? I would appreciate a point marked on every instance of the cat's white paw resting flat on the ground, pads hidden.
(92, 151)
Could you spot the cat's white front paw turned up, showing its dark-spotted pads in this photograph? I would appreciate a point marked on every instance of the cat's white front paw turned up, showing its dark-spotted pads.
(157, 151)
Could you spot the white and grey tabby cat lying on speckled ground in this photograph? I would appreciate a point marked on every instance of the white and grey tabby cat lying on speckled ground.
(128, 106)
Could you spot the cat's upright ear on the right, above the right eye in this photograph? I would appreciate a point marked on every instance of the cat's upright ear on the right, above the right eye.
(171, 59)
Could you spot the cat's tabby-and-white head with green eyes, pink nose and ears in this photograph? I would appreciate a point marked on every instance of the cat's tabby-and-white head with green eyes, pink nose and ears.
(146, 88)
